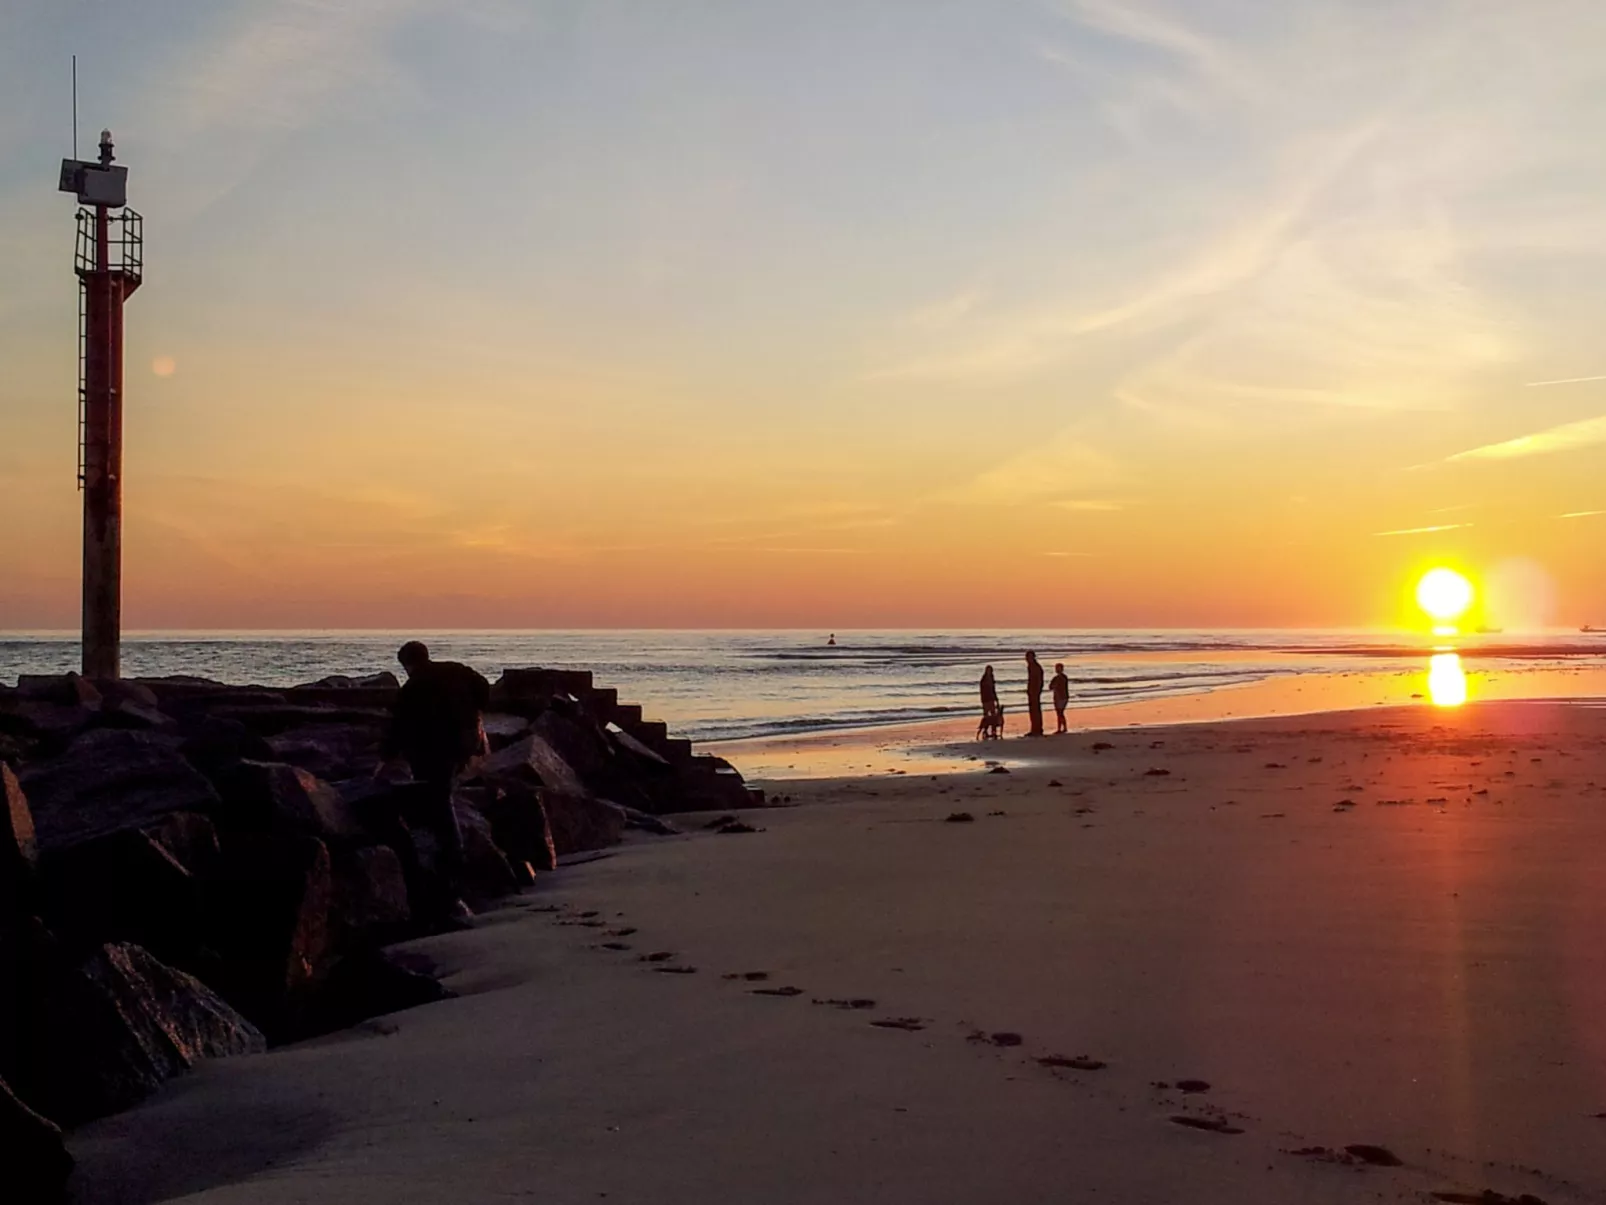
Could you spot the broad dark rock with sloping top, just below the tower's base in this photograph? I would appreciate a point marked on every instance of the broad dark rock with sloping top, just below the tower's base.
(112, 780)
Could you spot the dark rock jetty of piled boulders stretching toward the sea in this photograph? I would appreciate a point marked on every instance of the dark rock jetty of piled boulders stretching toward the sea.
(194, 870)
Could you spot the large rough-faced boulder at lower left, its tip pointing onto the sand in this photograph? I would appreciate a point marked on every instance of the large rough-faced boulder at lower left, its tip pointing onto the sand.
(123, 1024)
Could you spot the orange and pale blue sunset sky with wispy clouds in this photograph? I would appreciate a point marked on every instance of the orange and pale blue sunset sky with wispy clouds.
(828, 314)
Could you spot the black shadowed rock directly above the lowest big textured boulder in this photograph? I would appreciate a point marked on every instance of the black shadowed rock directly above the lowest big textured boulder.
(123, 888)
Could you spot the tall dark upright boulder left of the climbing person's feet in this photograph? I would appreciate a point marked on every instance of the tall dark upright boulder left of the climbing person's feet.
(269, 907)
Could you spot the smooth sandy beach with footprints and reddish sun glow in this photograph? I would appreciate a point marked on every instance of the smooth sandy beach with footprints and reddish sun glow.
(1323, 958)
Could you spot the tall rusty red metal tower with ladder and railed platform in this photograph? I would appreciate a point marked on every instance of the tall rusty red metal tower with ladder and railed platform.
(110, 264)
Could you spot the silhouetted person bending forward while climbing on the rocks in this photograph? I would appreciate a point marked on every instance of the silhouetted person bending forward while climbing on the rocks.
(436, 729)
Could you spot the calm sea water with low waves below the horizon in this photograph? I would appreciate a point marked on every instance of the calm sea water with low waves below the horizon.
(712, 685)
